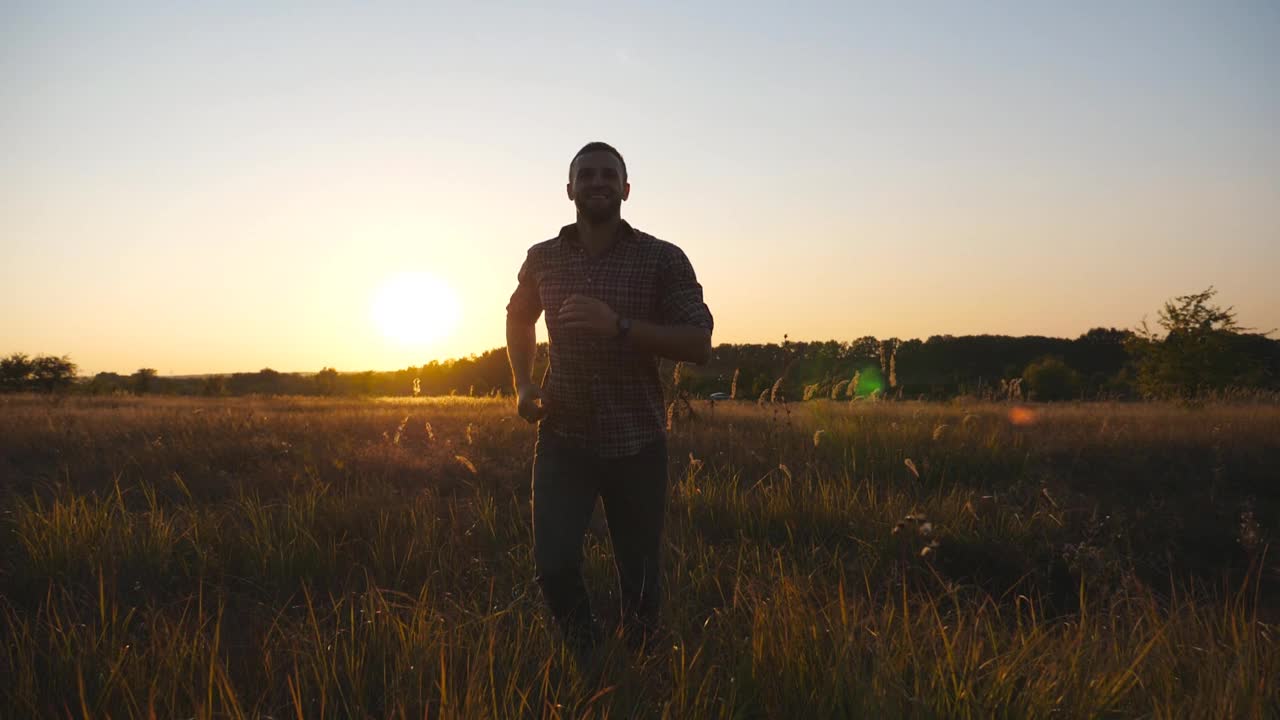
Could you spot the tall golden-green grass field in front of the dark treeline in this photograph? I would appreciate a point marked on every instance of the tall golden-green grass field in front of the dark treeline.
(346, 559)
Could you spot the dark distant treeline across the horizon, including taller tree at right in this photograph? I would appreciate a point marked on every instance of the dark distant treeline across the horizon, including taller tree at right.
(1200, 352)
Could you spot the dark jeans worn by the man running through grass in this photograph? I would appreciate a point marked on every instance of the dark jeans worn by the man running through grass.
(634, 491)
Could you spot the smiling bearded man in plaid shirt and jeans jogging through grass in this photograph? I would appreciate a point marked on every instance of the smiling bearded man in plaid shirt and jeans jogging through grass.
(616, 299)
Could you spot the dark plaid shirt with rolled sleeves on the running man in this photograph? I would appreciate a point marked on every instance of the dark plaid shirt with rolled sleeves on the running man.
(598, 394)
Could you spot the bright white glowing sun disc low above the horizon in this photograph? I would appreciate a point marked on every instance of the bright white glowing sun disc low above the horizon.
(415, 309)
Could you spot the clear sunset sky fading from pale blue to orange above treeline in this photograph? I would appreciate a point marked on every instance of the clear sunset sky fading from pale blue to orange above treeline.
(223, 188)
